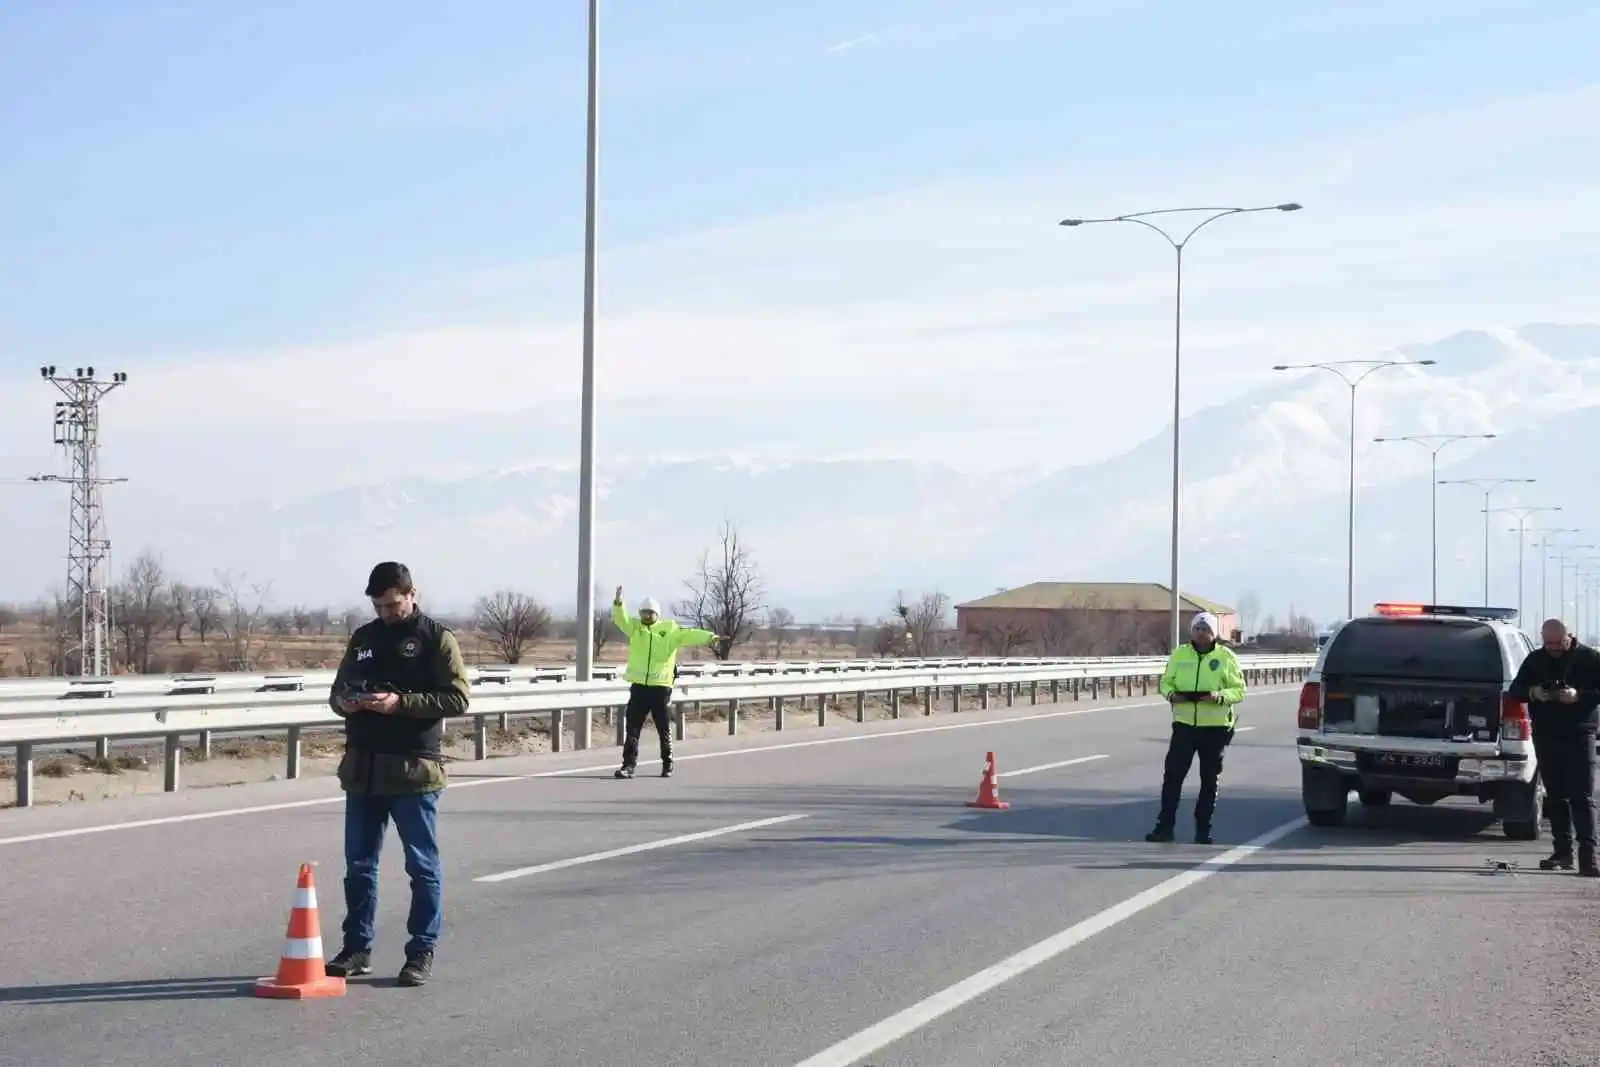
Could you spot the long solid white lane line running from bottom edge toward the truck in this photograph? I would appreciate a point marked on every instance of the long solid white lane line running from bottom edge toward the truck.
(911, 1020)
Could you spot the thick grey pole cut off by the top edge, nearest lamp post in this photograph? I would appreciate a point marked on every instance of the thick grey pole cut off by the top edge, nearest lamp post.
(586, 449)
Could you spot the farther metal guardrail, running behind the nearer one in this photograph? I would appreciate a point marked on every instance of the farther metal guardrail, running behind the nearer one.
(204, 684)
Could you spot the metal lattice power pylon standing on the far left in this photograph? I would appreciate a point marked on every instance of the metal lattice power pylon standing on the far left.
(89, 546)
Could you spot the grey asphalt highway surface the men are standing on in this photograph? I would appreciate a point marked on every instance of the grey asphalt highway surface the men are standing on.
(882, 924)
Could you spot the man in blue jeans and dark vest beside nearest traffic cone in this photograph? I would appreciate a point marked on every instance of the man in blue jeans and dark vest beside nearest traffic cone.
(402, 674)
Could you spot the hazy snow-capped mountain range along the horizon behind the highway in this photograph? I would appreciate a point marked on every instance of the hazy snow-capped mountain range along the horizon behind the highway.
(1265, 484)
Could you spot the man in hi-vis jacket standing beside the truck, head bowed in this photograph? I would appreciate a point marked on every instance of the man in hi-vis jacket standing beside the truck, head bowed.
(1204, 685)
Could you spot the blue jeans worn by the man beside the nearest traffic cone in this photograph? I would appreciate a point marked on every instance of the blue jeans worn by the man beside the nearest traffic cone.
(366, 823)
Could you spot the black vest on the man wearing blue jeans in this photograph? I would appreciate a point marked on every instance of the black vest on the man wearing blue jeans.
(396, 660)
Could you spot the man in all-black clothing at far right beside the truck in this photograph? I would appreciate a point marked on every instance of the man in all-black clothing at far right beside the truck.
(1561, 682)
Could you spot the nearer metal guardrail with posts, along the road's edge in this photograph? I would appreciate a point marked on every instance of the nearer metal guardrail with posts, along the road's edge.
(26, 725)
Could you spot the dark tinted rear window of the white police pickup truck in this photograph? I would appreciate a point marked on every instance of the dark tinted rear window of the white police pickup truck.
(1417, 649)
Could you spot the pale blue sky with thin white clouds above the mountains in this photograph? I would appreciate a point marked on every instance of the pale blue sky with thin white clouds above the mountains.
(340, 242)
